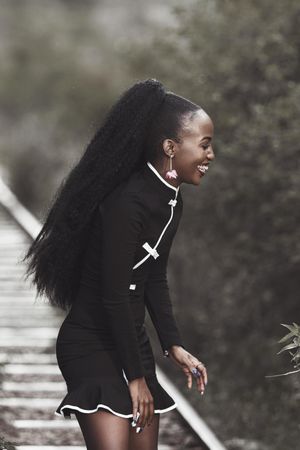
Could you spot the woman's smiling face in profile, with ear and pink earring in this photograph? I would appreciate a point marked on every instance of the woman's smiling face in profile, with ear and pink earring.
(194, 153)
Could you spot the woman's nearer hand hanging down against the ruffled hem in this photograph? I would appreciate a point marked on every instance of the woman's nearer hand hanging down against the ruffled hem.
(142, 401)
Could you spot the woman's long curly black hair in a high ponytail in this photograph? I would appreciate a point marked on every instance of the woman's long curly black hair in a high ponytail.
(131, 134)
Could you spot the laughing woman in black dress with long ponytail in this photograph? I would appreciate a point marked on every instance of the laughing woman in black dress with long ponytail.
(102, 255)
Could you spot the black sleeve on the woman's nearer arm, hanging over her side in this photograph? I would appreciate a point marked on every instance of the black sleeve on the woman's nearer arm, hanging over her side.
(122, 221)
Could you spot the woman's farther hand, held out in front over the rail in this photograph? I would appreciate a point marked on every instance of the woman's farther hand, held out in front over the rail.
(191, 366)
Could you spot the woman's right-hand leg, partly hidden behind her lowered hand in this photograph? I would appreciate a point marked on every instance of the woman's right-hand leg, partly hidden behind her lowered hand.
(148, 438)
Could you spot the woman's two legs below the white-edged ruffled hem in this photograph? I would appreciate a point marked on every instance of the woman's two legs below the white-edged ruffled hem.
(104, 430)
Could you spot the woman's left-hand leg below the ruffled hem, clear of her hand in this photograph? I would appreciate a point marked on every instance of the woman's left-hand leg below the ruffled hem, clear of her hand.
(103, 430)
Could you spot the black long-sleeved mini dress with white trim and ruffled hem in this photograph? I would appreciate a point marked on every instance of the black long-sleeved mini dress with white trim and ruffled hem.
(103, 343)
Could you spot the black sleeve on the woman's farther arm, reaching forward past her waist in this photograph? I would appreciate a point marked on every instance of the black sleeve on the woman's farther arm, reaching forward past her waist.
(159, 306)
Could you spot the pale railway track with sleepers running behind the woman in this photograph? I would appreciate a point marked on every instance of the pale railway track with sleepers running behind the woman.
(31, 384)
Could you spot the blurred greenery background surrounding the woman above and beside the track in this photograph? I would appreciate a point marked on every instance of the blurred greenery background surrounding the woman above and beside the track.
(234, 266)
